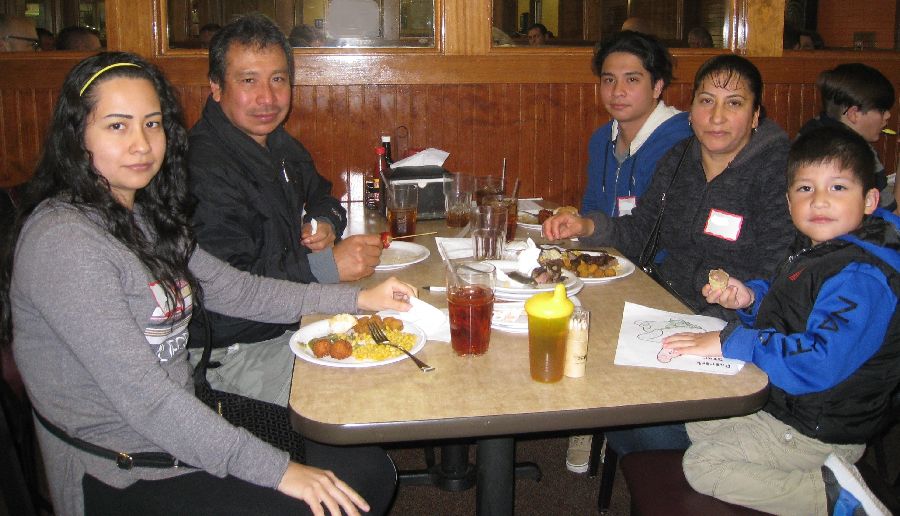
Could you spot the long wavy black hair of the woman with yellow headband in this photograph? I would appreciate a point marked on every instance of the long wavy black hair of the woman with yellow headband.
(65, 172)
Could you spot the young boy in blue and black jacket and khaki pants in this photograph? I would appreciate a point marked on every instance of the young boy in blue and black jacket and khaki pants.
(827, 333)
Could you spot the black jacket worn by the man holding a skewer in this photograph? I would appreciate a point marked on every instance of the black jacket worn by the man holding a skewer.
(249, 205)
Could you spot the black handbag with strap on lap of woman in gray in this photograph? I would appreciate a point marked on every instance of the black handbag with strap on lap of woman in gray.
(267, 421)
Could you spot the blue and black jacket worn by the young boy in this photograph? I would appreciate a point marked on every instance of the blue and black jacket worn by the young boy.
(827, 333)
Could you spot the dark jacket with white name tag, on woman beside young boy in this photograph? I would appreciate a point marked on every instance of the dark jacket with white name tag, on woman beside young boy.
(752, 187)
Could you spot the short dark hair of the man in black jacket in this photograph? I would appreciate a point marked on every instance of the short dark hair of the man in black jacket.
(253, 30)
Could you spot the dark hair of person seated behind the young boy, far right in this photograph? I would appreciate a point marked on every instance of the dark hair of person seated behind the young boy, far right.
(854, 84)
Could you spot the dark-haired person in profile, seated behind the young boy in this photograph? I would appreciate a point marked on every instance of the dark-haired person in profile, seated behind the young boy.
(860, 97)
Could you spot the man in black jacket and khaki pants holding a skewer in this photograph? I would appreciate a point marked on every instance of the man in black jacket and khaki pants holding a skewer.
(259, 198)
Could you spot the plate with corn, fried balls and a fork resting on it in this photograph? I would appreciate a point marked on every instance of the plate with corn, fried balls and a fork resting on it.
(344, 341)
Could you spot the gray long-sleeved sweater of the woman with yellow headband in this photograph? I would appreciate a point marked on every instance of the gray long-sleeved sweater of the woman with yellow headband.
(105, 360)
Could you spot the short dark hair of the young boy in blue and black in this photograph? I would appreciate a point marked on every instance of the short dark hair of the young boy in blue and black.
(841, 146)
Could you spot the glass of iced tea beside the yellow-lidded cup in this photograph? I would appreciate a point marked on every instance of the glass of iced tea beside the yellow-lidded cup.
(470, 298)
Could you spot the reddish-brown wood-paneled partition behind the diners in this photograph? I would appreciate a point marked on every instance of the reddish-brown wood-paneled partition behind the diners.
(535, 107)
